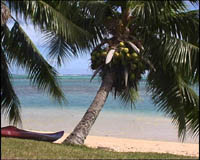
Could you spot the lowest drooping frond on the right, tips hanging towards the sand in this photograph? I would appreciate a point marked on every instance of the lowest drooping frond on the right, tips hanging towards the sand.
(175, 98)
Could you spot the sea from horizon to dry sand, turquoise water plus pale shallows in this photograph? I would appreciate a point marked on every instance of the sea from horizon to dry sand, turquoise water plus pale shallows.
(40, 112)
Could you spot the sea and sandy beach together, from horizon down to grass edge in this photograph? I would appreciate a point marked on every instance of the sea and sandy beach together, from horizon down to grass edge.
(117, 128)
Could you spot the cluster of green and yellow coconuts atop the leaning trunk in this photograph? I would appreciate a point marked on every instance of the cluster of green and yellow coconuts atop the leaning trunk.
(125, 59)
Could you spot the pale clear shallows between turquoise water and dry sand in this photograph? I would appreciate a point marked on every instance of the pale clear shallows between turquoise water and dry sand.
(128, 126)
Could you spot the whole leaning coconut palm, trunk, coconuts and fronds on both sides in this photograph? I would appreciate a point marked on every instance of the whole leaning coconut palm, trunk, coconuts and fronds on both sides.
(128, 39)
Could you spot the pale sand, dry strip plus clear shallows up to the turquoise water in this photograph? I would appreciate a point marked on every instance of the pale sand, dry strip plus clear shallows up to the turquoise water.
(134, 133)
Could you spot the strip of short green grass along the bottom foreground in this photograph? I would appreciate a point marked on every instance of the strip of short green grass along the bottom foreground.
(30, 149)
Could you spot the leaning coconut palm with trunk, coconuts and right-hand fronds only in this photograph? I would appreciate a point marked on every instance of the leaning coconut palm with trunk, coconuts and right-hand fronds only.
(158, 37)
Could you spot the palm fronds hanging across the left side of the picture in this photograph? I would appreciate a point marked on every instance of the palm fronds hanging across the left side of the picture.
(64, 37)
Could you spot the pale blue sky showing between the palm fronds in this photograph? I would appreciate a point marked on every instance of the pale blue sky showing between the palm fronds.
(75, 66)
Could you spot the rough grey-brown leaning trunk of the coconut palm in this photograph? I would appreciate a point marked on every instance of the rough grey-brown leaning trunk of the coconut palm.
(81, 131)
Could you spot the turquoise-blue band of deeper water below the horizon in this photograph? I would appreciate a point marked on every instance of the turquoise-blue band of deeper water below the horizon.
(80, 93)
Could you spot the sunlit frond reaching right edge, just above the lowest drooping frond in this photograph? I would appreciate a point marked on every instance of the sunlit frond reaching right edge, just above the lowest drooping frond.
(176, 52)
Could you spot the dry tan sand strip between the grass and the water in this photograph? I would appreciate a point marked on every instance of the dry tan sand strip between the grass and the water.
(132, 145)
